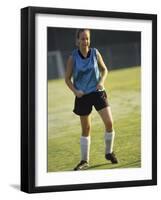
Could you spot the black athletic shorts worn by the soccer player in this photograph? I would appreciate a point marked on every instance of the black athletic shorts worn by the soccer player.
(83, 105)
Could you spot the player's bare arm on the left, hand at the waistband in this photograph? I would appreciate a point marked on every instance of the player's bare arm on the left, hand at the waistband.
(68, 76)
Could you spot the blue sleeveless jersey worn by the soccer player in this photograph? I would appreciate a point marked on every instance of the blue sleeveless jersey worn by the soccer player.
(86, 73)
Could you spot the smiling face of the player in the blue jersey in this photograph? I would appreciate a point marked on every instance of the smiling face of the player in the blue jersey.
(84, 39)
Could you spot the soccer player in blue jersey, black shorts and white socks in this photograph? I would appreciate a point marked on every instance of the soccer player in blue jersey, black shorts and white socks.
(89, 72)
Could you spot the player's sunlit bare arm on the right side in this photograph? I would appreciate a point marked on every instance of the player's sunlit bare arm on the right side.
(103, 71)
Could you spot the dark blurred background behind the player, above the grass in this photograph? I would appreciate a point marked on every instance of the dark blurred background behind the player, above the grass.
(119, 49)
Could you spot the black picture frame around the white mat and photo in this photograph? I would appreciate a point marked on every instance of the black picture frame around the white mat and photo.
(28, 91)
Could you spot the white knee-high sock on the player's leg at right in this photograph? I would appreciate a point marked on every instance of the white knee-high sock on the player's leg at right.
(109, 140)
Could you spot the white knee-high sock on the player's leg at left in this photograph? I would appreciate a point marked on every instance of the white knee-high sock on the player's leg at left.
(85, 147)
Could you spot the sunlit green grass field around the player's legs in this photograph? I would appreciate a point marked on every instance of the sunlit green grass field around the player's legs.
(123, 89)
